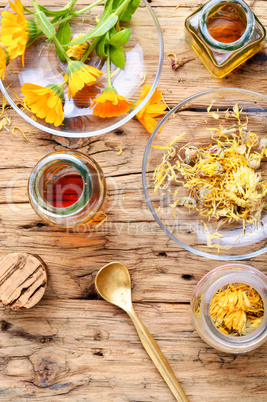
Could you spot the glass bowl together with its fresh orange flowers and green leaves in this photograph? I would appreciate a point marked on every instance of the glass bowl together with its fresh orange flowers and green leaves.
(79, 71)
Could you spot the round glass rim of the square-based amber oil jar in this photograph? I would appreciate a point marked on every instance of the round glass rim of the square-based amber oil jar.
(206, 10)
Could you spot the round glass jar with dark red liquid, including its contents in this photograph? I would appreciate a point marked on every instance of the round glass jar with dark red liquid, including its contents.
(67, 189)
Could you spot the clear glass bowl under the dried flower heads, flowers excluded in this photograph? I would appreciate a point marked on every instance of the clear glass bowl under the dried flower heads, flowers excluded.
(187, 228)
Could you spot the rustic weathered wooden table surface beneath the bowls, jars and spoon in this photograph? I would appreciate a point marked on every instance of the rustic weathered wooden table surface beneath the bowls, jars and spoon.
(73, 345)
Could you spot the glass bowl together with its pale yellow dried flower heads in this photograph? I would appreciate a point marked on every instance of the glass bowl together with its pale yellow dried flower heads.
(205, 174)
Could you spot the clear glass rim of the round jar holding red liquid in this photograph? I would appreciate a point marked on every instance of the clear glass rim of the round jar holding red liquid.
(67, 158)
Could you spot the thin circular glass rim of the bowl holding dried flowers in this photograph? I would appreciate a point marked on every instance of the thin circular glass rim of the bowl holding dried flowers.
(154, 214)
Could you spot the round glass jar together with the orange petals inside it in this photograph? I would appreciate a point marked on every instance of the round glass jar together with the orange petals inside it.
(228, 308)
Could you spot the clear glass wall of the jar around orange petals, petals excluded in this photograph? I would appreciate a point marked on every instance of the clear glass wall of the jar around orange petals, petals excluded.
(200, 308)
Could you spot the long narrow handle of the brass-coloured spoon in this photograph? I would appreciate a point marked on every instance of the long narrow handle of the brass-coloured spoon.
(157, 357)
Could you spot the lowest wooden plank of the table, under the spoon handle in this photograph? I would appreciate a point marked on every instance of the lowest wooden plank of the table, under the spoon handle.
(89, 350)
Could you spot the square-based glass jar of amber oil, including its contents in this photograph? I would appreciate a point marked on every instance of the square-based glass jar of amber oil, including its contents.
(224, 34)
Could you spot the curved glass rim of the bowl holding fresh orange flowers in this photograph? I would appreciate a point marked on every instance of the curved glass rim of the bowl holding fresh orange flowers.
(109, 128)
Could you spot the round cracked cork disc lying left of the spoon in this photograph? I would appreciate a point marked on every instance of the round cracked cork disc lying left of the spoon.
(23, 280)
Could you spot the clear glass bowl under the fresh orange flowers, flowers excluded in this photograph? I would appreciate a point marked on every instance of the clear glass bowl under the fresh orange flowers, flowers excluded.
(144, 59)
